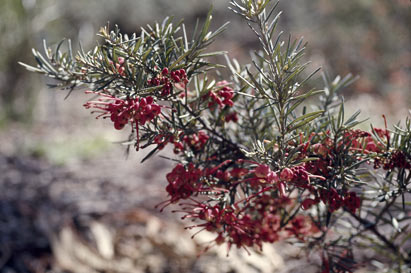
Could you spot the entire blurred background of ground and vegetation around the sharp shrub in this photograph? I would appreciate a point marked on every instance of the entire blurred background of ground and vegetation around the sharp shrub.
(70, 200)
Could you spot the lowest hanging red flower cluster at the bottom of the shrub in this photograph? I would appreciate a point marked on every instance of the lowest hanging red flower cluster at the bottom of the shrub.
(255, 224)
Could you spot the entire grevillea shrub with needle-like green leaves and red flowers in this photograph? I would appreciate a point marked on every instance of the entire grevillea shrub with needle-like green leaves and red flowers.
(261, 157)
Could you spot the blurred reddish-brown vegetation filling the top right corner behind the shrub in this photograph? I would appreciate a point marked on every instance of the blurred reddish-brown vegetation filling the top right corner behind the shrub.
(368, 38)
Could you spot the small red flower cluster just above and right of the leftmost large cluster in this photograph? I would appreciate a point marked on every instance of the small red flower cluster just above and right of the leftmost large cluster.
(167, 79)
